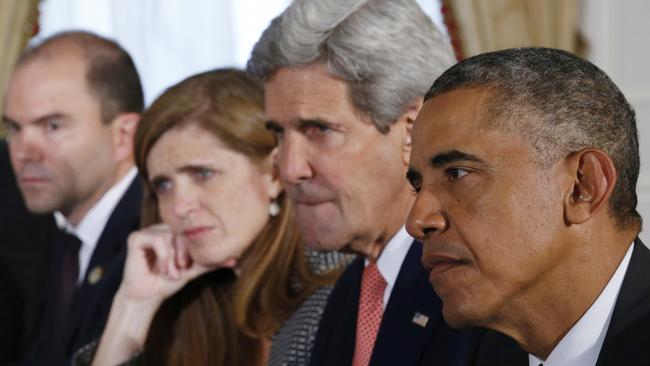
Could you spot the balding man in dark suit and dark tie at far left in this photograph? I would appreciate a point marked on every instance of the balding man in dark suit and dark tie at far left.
(71, 109)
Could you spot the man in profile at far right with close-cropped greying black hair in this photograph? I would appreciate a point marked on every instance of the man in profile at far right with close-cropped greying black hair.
(525, 162)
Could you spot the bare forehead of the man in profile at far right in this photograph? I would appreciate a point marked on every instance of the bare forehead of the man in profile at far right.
(459, 120)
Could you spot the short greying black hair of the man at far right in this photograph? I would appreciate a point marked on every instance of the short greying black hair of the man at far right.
(561, 104)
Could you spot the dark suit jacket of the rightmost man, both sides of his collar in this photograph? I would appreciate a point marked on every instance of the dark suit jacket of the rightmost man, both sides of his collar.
(627, 341)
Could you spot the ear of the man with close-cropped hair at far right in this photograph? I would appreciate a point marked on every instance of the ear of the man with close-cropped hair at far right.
(594, 178)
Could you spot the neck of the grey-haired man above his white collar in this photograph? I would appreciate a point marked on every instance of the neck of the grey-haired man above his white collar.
(372, 247)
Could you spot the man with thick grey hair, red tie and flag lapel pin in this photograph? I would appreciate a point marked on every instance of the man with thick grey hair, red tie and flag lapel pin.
(344, 81)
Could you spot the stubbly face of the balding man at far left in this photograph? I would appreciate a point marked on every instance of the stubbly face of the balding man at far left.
(62, 153)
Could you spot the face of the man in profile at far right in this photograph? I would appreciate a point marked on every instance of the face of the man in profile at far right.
(489, 215)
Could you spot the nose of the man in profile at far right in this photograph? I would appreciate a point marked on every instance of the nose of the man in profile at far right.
(426, 217)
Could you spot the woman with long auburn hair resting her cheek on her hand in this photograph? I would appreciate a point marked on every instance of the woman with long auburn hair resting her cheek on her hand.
(219, 265)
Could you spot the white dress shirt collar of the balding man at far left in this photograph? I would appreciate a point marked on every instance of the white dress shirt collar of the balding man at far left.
(92, 225)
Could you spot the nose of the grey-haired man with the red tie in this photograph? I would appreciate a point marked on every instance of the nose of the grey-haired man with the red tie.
(293, 160)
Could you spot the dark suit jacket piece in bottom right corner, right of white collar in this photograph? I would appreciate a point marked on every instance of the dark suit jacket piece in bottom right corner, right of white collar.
(628, 335)
